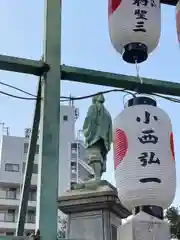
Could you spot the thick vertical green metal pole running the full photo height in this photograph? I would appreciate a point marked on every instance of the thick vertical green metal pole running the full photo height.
(47, 189)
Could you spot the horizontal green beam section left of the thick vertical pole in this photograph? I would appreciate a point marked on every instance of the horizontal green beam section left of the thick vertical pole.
(22, 65)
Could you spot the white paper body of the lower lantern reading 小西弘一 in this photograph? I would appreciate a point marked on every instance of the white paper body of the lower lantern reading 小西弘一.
(144, 157)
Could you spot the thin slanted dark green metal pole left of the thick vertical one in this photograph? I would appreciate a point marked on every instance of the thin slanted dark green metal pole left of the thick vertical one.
(29, 167)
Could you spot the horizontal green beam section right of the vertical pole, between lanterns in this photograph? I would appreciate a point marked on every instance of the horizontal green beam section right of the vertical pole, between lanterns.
(119, 81)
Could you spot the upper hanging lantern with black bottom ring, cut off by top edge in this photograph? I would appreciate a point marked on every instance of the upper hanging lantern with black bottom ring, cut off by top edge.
(134, 27)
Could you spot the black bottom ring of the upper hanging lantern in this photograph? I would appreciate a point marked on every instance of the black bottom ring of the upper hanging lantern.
(135, 53)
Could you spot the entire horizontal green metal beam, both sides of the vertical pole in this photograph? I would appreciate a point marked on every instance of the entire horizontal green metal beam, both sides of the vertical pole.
(37, 68)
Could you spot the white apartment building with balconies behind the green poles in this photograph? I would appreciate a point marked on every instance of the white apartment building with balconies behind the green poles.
(13, 152)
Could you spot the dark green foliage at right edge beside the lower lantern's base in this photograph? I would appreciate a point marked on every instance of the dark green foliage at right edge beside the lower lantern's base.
(173, 217)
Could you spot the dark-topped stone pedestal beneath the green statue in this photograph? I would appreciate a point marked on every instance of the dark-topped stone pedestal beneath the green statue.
(94, 212)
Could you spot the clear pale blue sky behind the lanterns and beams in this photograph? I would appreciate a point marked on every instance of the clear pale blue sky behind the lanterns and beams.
(85, 43)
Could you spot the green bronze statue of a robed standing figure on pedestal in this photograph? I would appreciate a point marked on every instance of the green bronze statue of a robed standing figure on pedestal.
(97, 130)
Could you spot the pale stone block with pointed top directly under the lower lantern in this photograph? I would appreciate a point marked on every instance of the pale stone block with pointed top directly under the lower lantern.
(145, 226)
